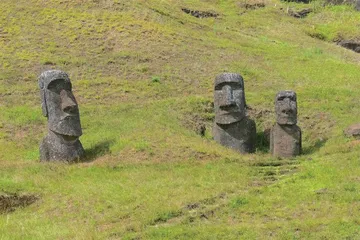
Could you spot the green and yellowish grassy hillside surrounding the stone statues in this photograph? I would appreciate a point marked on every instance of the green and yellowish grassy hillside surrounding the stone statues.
(148, 174)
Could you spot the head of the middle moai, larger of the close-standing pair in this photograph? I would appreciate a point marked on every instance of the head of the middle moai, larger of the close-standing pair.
(229, 98)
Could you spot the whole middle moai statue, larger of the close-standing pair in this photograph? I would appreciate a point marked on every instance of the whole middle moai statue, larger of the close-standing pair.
(232, 128)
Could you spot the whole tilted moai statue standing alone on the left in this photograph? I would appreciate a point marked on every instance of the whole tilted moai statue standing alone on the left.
(61, 109)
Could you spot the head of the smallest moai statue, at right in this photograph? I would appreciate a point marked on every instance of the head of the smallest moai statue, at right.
(286, 108)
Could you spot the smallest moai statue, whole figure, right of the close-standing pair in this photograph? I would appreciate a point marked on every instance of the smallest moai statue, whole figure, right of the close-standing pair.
(285, 135)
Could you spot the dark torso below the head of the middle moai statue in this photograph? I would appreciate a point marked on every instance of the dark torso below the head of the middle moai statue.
(240, 136)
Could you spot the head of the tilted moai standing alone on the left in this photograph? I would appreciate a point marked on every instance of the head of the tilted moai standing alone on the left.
(59, 104)
